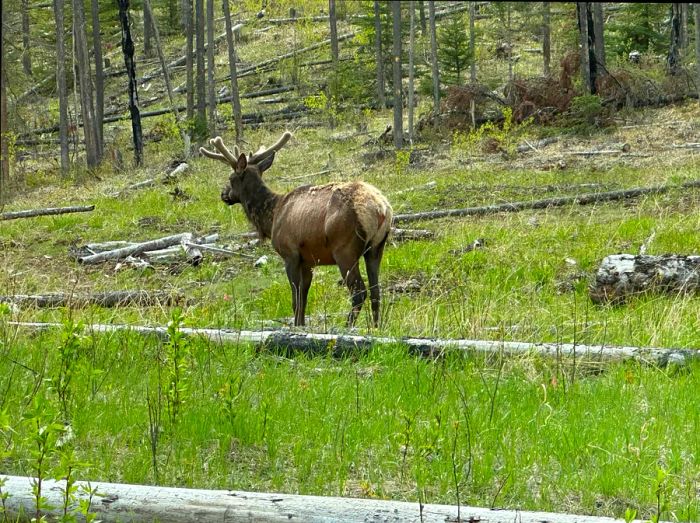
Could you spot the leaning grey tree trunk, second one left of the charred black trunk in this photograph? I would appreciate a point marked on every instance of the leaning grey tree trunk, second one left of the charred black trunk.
(82, 66)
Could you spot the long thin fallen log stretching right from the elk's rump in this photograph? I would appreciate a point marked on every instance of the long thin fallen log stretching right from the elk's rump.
(583, 199)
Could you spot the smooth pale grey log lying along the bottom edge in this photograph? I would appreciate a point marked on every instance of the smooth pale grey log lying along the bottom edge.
(134, 503)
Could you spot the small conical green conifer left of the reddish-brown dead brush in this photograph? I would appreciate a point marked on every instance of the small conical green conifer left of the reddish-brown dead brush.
(454, 55)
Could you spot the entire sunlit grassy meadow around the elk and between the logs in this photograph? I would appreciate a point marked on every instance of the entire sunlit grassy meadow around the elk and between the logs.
(617, 439)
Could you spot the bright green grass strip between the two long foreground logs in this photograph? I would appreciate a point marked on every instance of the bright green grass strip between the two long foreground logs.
(525, 432)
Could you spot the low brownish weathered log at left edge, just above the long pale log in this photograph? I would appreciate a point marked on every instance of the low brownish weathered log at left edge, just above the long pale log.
(139, 298)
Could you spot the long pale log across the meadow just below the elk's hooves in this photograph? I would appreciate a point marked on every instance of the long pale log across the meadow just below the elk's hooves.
(340, 344)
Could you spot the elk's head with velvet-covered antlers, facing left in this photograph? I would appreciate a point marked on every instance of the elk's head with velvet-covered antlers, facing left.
(245, 170)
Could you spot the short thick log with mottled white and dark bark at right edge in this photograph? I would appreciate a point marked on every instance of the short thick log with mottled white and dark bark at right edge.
(623, 275)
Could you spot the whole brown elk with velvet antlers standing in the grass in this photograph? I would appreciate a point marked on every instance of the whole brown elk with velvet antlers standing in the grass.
(332, 224)
